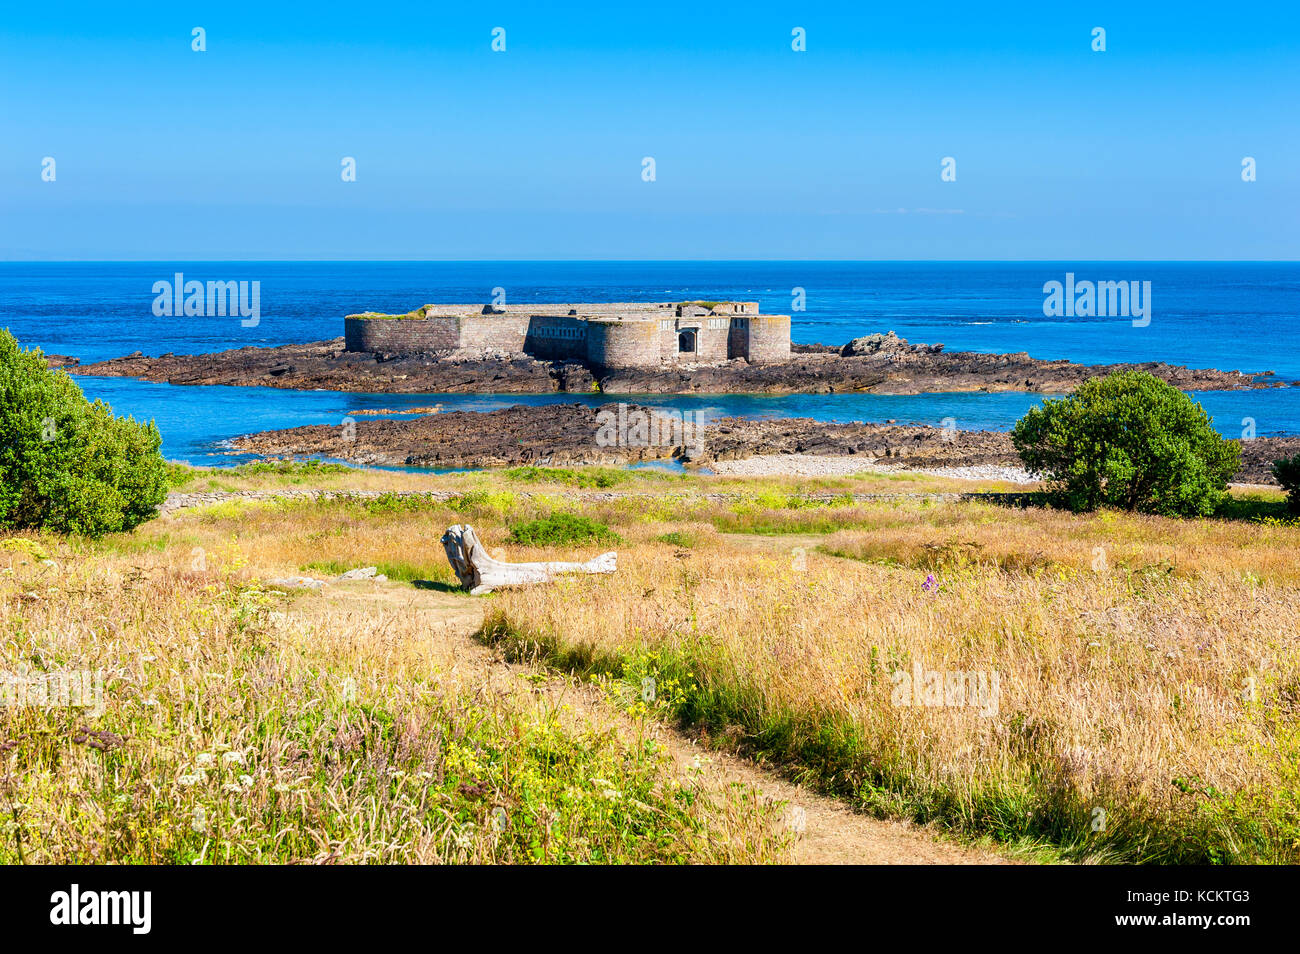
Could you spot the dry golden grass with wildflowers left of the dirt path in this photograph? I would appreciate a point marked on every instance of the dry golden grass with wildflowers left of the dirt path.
(246, 726)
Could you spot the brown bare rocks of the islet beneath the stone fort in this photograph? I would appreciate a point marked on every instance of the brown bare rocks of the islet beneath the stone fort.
(881, 365)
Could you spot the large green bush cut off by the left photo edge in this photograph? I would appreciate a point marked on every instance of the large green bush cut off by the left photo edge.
(68, 465)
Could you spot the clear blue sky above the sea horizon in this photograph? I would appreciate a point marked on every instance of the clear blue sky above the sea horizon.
(761, 153)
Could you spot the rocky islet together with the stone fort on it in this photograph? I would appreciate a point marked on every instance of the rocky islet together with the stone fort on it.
(666, 348)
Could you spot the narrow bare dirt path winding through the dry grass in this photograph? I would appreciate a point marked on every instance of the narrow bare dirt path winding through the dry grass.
(831, 832)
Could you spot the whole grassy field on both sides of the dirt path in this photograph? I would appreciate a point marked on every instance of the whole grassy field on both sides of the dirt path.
(1103, 688)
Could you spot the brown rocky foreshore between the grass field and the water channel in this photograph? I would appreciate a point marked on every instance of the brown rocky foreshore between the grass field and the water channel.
(570, 435)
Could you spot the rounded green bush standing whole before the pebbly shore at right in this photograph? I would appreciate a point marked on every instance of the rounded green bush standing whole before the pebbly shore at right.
(1129, 441)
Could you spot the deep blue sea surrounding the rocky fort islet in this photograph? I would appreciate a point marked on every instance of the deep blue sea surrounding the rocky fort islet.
(1242, 316)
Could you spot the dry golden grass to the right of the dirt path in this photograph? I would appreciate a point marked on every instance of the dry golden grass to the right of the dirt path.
(1147, 712)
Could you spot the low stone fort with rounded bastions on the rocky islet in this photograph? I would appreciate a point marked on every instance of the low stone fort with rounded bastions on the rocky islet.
(608, 336)
